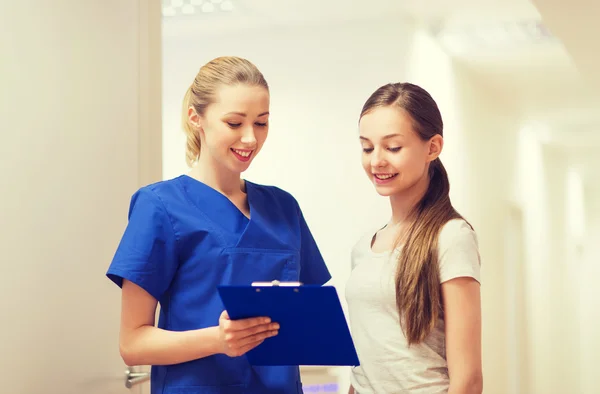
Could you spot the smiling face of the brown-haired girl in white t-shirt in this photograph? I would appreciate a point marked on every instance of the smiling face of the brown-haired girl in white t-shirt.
(395, 157)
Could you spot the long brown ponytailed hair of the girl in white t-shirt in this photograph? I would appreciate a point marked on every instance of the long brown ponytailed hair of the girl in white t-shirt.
(418, 292)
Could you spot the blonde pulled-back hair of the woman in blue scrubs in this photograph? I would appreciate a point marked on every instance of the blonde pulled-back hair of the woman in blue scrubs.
(227, 70)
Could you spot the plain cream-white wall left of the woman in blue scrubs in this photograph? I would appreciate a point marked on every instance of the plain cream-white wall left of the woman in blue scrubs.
(74, 107)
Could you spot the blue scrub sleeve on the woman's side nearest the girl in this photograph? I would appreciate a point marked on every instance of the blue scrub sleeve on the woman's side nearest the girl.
(313, 269)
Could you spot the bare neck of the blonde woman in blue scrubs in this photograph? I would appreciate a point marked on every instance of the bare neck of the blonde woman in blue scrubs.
(227, 182)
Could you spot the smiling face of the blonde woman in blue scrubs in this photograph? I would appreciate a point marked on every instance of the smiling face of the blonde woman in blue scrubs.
(234, 127)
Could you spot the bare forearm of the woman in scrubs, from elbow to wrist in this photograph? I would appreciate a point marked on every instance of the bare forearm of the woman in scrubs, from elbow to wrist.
(149, 345)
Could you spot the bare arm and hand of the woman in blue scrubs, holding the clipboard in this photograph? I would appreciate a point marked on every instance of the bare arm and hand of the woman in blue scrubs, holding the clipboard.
(141, 343)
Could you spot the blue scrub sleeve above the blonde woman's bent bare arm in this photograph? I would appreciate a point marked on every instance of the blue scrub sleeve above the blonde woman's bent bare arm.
(146, 254)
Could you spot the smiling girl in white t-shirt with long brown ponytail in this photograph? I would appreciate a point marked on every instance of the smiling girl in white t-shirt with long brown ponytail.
(413, 295)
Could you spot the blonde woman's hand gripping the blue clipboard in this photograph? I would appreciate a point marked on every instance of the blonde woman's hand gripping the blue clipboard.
(237, 337)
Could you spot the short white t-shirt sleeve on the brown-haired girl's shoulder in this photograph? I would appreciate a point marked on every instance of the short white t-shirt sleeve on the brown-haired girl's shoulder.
(458, 252)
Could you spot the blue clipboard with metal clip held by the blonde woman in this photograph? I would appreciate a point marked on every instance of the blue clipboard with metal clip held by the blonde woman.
(313, 328)
